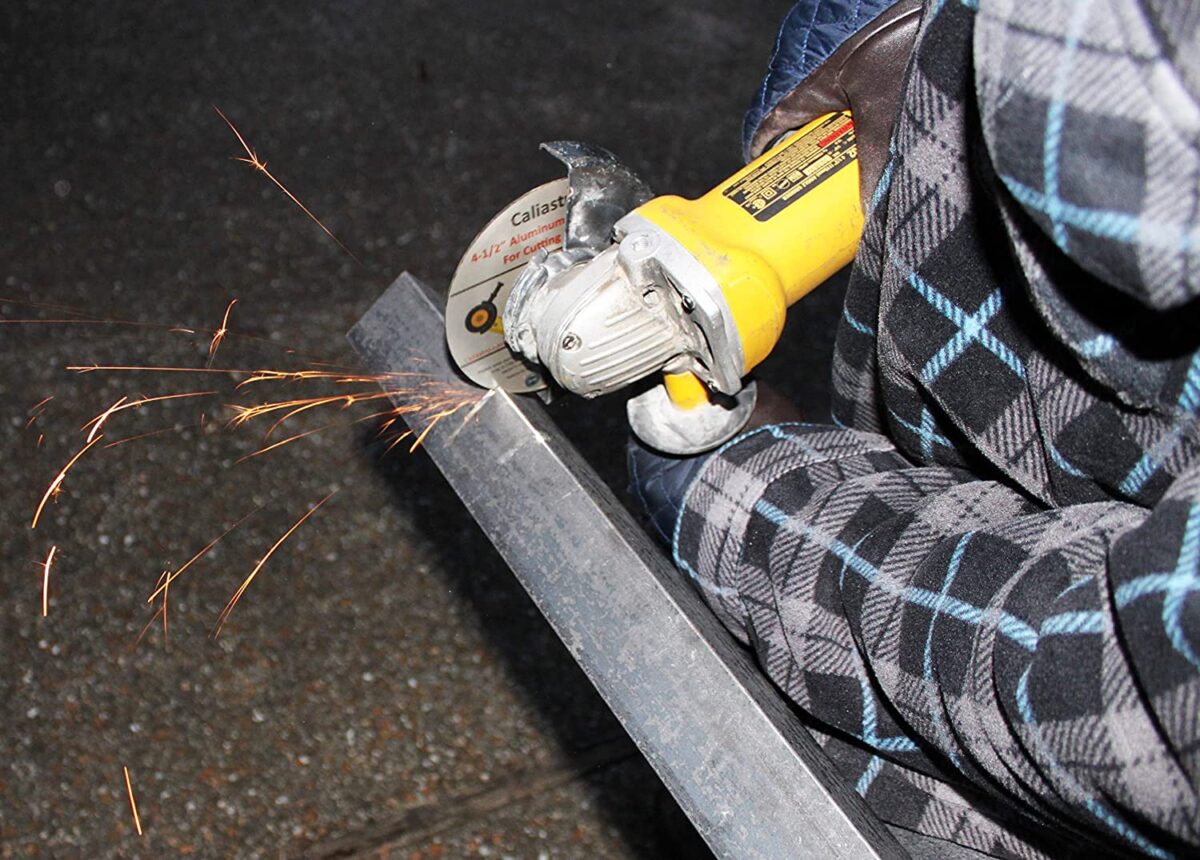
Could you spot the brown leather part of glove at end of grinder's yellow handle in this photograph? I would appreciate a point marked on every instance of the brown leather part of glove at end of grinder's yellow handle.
(866, 75)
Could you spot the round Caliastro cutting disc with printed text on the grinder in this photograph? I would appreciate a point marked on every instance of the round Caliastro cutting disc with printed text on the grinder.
(535, 222)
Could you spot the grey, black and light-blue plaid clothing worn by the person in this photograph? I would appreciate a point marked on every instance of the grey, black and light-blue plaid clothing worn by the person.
(983, 587)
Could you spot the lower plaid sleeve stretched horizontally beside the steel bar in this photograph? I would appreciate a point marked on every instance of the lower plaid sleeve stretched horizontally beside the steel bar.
(1042, 658)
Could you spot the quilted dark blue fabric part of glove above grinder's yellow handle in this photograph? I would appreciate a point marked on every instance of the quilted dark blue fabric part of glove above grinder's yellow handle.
(809, 35)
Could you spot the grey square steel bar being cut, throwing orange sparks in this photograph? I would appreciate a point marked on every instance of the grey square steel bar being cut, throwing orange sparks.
(724, 742)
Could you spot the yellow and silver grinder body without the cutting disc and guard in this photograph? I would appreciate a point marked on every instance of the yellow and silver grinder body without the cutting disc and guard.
(698, 290)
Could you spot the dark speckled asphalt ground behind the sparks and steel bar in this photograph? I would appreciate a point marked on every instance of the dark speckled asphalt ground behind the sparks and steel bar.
(385, 687)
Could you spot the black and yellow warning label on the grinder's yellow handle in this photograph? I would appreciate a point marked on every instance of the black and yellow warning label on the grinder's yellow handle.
(797, 169)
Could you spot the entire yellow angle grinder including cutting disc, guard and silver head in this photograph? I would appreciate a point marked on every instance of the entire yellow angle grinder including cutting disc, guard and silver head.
(596, 284)
